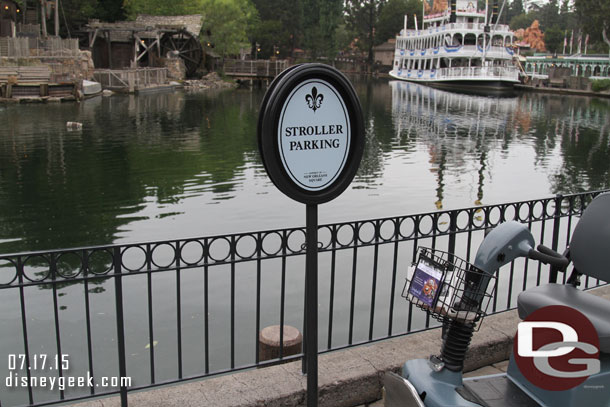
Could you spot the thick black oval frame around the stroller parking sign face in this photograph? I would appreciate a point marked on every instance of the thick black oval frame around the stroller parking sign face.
(268, 124)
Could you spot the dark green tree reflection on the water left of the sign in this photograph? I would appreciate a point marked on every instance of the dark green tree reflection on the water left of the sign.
(63, 189)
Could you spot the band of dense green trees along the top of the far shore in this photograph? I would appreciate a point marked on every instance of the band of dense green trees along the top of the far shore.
(328, 28)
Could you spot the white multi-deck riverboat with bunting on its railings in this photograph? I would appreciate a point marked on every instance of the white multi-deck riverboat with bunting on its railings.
(458, 48)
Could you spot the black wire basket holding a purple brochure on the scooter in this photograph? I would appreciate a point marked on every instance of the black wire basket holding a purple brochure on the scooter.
(448, 288)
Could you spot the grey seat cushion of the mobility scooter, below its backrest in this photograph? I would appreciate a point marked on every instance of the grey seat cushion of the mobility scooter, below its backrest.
(595, 308)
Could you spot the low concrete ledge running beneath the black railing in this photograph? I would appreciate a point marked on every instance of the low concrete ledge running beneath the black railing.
(347, 378)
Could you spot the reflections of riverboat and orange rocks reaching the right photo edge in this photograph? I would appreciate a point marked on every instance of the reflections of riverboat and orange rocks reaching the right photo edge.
(465, 133)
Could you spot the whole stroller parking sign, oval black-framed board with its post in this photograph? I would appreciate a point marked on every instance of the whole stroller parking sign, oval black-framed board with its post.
(311, 139)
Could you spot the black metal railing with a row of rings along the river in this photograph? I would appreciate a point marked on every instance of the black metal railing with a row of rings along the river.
(199, 304)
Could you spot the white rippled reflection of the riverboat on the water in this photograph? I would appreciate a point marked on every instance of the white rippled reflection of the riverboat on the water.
(454, 128)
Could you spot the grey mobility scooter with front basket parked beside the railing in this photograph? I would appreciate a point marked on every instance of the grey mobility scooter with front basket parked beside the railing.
(457, 294)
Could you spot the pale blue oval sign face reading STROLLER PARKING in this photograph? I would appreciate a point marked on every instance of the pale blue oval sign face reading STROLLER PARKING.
(314, 134)
